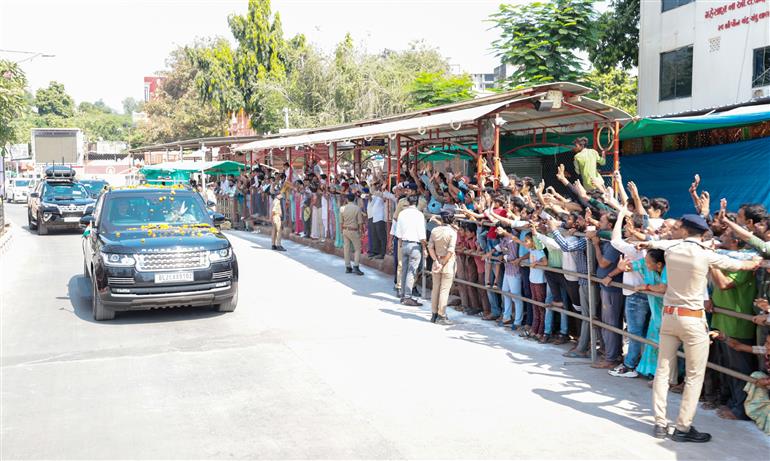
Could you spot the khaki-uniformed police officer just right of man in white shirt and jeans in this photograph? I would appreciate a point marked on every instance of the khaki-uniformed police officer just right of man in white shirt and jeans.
(442, 249)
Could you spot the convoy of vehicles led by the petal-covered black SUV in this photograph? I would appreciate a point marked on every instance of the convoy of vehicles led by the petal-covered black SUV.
(144, 247)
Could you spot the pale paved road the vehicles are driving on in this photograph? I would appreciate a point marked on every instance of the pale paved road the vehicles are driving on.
(313, 364)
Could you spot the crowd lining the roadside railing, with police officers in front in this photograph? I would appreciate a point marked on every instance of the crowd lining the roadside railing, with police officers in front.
(518, 253)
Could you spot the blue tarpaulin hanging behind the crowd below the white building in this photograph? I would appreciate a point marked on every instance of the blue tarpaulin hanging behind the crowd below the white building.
(739, 172)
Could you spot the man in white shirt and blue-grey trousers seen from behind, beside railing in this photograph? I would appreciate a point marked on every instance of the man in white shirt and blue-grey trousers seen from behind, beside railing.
(411, 232)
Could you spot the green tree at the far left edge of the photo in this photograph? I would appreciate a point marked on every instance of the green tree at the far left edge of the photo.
(13, 100)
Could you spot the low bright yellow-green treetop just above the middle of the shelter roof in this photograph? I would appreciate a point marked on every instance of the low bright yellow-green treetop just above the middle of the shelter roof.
(435, 89)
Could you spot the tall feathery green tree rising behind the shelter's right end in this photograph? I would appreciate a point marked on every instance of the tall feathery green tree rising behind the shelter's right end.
(541, 39)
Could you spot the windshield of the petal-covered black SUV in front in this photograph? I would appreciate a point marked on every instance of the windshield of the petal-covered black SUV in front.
(153, 208)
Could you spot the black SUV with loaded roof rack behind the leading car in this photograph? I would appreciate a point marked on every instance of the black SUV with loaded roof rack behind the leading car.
(58, 201)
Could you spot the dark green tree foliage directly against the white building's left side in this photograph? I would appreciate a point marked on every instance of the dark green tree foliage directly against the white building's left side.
(618, 37)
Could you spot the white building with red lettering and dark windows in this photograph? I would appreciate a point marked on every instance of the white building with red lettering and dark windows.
(697, 54)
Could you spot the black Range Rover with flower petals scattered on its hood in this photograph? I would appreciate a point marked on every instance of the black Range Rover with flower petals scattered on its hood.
(157, 247)
